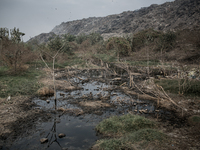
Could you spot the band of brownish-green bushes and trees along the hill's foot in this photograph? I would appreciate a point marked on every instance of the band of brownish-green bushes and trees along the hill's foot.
(15, 53)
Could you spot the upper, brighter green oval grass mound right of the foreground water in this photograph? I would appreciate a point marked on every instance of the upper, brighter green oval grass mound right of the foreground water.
(124, 124)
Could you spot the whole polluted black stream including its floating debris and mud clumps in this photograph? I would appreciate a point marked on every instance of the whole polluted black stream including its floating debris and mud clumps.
(73, 127)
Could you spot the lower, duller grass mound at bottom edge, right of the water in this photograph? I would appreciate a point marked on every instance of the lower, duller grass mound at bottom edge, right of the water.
(141, 138)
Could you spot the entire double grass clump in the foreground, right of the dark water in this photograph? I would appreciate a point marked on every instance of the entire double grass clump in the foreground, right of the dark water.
(131, 131)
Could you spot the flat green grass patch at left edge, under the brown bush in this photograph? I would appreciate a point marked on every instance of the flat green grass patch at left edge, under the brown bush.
(20, 84)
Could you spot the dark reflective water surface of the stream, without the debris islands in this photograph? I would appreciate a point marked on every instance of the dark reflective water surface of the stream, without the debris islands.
(80, 130)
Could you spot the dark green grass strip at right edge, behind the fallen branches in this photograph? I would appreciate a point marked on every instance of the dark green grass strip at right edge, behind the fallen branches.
(187, 87)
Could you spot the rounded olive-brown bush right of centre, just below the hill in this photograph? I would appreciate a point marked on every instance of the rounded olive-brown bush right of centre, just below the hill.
(120, 44)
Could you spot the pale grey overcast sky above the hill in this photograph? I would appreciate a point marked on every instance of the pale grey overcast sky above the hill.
(40, 16)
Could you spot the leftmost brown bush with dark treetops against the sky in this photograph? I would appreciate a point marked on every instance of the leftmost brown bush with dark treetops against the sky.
(14, 53)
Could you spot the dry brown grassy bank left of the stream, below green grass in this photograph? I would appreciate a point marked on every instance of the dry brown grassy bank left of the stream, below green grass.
(18, 119)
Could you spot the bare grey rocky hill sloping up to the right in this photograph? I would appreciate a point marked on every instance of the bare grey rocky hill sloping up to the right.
(175, 15)
